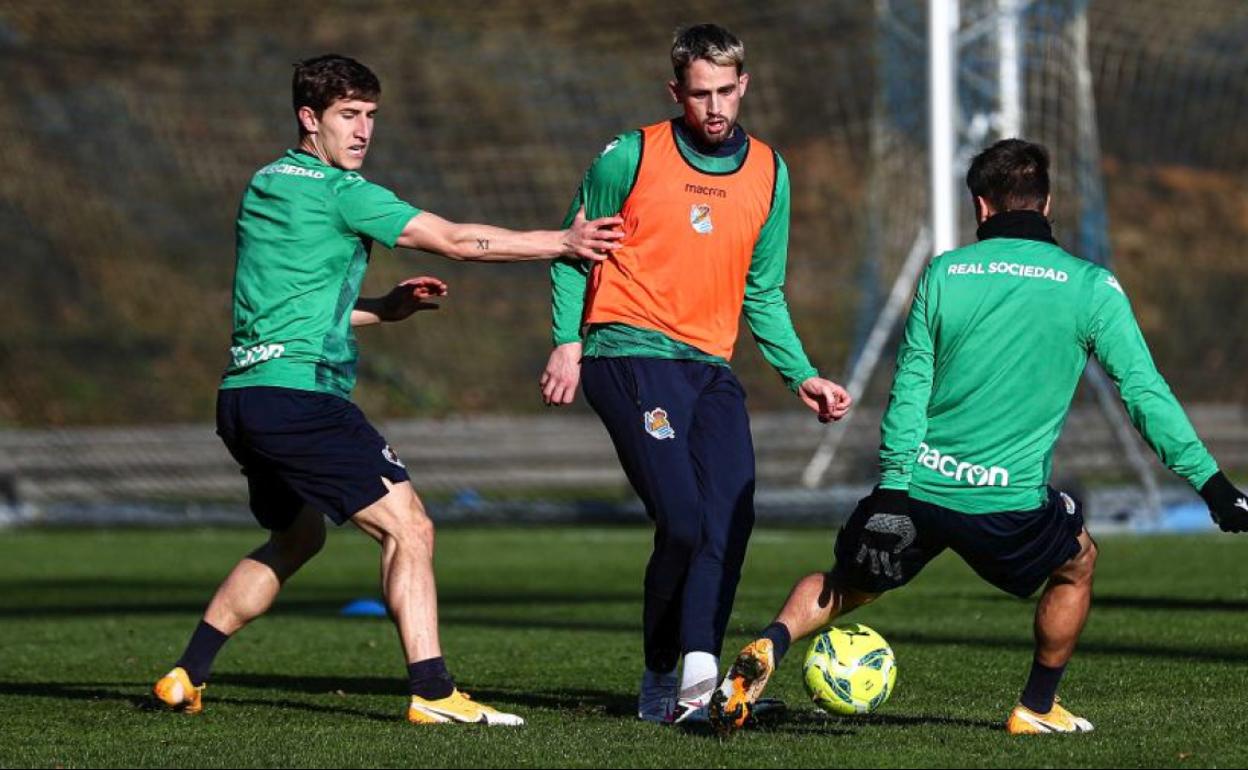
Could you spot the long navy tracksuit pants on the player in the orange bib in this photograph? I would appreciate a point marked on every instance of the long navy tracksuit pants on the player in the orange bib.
(683, 436)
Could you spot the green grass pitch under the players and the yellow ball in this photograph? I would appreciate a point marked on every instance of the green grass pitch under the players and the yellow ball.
(546, 622)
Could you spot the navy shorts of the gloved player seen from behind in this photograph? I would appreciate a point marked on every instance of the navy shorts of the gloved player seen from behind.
(1015, 551)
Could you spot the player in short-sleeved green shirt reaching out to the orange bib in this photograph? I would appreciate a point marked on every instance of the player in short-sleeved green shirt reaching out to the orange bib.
(305, 230)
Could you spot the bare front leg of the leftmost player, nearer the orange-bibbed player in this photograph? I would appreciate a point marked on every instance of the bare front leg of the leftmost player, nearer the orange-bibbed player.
(400, 525)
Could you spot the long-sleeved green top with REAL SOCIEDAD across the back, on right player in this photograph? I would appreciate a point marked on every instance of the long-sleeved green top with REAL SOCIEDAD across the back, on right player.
(995, 346)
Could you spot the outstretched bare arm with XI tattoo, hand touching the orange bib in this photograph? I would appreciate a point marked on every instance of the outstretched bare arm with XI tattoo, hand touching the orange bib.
(585, 239)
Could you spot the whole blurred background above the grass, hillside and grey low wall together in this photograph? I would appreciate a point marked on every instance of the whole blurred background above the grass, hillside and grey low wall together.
(132, 128)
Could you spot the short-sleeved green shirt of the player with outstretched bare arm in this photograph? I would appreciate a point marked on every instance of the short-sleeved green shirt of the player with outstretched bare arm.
(304, 234)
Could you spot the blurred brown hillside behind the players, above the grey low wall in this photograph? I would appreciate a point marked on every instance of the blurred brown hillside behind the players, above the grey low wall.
(132, 129)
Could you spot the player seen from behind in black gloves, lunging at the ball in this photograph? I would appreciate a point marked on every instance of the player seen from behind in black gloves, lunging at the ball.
(995, 345)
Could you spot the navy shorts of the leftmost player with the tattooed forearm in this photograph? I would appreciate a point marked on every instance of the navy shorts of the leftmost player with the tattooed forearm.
(304, 449)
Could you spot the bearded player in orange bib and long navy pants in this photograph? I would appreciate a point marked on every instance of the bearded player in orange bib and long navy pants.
(650, 334)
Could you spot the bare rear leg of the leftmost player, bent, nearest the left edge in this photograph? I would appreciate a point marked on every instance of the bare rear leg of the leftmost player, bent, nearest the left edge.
(253, 586)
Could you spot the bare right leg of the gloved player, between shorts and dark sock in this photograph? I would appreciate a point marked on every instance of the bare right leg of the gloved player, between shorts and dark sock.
(1064, 607)
